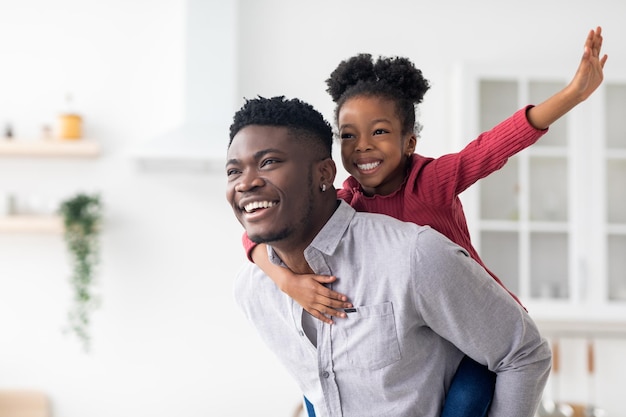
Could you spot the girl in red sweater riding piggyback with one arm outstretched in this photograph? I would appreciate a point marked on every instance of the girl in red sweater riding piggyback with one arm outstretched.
(375, 117)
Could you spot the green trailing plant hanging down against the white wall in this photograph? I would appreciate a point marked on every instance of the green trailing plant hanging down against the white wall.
(82, 219)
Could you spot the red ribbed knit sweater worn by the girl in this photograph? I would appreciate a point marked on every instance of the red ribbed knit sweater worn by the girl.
(429, 194)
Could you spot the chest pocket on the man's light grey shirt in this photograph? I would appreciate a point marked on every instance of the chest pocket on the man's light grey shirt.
(371, 340)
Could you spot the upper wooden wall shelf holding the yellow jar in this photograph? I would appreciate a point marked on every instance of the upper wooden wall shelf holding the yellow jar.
(81, 148)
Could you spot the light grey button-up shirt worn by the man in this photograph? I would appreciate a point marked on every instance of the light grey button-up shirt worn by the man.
(420, 303)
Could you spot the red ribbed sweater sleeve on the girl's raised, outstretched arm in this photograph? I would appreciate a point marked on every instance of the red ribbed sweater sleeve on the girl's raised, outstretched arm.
(449, 175)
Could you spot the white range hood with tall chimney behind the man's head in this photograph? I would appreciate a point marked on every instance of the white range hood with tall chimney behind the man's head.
(209, 96)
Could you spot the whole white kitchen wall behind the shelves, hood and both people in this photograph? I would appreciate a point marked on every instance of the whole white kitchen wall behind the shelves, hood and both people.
(168, 339)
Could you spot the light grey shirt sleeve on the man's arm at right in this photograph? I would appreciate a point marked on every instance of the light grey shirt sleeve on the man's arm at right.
(463, 304)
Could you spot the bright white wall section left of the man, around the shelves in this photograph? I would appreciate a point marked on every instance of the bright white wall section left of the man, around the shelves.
(168, 340)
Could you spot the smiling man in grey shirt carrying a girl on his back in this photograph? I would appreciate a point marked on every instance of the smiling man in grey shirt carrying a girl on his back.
(420, 302)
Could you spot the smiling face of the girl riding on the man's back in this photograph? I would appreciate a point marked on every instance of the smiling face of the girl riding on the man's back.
(373, 149)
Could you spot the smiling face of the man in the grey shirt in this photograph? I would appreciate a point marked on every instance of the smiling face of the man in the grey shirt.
(270, 184)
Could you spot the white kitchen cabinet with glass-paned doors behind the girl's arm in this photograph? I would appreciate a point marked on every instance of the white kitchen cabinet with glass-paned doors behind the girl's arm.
(552, 222)
